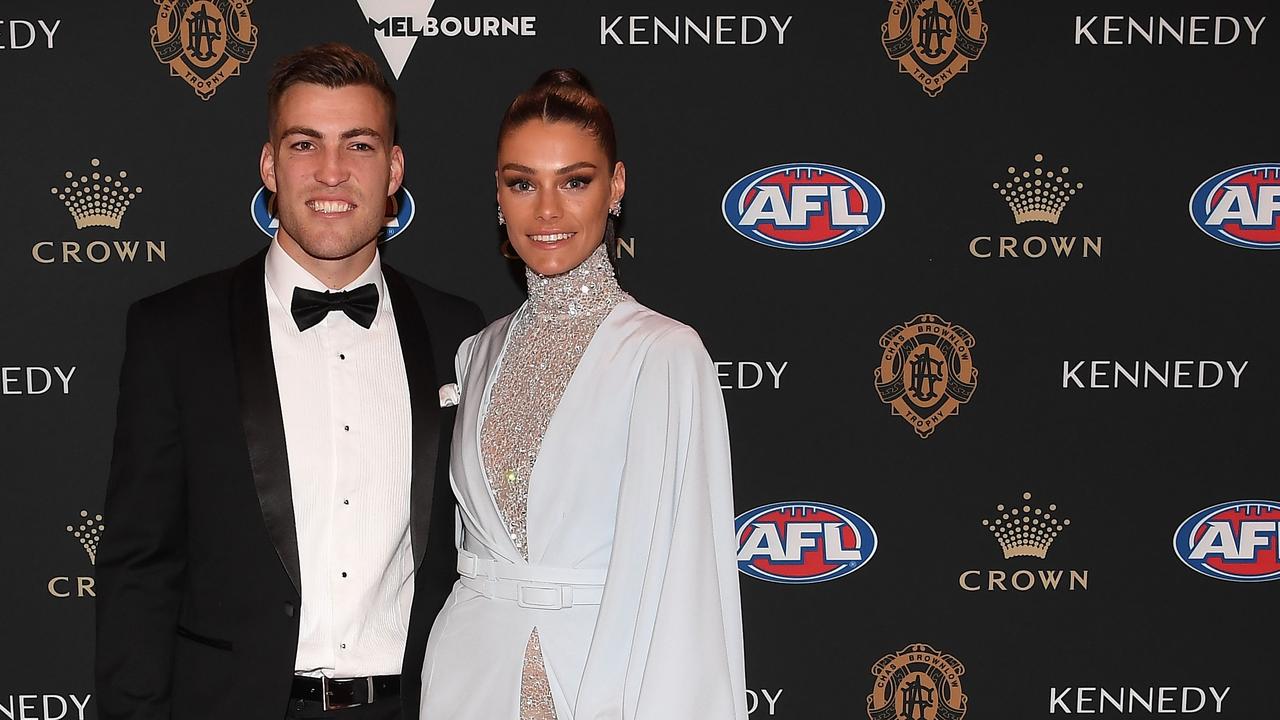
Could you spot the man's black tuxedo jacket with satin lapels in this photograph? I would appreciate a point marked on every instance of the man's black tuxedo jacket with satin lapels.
(198, 571)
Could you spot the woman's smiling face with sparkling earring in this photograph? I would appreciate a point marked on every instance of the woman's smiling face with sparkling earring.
(556, 188)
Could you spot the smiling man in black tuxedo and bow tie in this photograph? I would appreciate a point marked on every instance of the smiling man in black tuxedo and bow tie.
(282, 530)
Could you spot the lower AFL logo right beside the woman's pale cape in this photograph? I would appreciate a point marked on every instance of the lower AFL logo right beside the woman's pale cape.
(799, 543)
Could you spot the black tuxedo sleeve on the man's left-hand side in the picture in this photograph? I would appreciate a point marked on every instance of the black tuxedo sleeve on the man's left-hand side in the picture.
(143, 553)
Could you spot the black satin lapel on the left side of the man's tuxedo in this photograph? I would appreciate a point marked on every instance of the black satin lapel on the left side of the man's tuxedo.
(260, 412)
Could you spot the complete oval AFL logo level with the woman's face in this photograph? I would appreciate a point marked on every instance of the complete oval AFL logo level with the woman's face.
(803, 207)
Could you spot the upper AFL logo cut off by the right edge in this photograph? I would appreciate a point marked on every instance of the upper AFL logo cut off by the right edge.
(1240, 207)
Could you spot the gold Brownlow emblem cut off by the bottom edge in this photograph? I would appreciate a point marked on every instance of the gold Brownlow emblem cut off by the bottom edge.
(917, 683)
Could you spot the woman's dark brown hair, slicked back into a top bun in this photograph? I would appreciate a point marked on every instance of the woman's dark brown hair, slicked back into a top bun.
(564, 95)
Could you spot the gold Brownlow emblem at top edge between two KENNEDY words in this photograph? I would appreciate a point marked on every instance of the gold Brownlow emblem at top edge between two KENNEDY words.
(934, 40)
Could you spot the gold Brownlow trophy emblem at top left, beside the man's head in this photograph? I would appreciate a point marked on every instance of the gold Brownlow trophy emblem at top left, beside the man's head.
(204, 42)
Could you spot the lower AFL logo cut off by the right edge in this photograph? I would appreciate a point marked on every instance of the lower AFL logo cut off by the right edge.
(1235, 541)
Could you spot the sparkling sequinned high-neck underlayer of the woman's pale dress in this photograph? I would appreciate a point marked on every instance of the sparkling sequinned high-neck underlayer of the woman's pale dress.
(546, 347)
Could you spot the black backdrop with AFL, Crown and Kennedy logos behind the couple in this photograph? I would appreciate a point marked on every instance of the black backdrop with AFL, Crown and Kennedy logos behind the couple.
(989, 286)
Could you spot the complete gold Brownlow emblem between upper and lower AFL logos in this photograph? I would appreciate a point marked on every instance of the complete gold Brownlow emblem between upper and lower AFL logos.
(926, 372)
